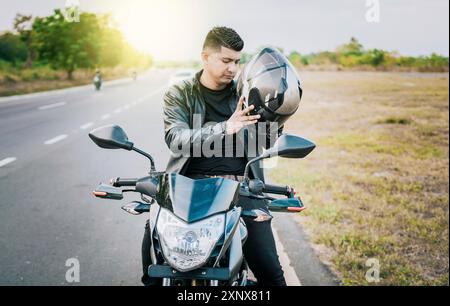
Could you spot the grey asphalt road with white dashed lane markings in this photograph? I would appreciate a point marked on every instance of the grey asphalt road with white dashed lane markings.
(49, 167)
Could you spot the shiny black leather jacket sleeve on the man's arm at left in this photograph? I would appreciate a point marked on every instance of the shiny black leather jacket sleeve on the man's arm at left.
(179, 135)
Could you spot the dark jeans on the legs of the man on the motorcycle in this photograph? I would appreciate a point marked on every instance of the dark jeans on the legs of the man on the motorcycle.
(259, 251)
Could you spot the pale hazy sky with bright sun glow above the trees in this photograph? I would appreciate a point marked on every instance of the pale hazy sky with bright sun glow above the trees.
(175, 29)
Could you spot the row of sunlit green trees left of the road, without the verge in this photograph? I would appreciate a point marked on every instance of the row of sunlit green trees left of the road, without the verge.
(92, 42)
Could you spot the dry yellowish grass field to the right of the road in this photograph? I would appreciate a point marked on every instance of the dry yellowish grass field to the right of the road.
(377, 184)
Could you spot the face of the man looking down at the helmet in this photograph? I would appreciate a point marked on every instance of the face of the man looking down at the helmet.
(222, 65)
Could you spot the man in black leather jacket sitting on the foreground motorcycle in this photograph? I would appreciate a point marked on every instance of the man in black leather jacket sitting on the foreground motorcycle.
(211, 96)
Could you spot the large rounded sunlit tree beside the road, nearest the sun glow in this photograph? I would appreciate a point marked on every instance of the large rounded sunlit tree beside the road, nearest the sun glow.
(91, 42)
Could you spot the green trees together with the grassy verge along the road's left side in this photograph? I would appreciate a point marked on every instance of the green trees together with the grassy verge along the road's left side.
(42, 49)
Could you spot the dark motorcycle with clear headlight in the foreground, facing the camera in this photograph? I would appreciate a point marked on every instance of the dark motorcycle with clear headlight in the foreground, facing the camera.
(196, 226)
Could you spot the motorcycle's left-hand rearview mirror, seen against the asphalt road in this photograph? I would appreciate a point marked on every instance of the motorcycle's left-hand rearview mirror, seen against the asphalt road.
(111, 137)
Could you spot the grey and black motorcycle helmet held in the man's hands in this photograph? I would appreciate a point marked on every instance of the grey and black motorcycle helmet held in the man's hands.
(270, 83)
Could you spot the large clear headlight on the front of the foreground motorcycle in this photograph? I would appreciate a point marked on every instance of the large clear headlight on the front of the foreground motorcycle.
(188, 246)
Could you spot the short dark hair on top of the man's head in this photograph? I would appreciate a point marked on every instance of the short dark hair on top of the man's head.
(223, 36)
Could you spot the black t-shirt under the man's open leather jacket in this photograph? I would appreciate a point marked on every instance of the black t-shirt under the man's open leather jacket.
(217, 109)
